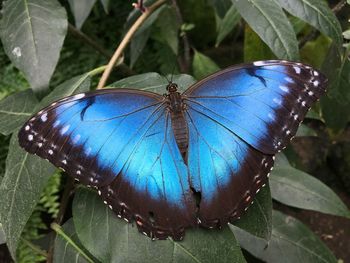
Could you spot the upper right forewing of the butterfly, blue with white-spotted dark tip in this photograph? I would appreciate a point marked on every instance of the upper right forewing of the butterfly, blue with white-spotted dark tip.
(262, 103)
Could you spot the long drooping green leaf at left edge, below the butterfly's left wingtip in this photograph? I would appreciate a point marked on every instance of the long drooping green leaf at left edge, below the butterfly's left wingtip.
(25, 177)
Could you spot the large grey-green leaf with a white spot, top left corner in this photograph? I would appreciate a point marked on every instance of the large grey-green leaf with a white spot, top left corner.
(32, 33)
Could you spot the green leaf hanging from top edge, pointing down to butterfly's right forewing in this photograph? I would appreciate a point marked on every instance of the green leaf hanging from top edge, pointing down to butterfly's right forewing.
(268, 20)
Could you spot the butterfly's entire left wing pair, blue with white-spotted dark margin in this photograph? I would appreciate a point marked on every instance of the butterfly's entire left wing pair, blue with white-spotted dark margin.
(118, 141)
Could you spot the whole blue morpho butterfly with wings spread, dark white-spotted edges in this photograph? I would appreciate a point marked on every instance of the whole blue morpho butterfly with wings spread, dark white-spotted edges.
(179, 160)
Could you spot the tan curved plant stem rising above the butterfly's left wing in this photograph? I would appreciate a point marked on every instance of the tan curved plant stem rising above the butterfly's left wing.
(117, 54)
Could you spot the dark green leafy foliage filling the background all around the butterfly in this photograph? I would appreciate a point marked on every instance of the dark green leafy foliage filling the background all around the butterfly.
(51, 49)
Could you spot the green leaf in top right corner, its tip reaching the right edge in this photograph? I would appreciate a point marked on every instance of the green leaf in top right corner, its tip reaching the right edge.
(318, 14)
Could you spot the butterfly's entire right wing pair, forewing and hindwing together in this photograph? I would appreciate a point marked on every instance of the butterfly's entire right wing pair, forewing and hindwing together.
(238, 119)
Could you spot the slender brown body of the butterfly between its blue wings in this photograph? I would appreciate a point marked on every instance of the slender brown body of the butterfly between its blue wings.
(178, 121)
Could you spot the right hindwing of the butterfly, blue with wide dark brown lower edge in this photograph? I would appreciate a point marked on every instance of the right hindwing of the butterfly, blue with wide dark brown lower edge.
(227, 171)
